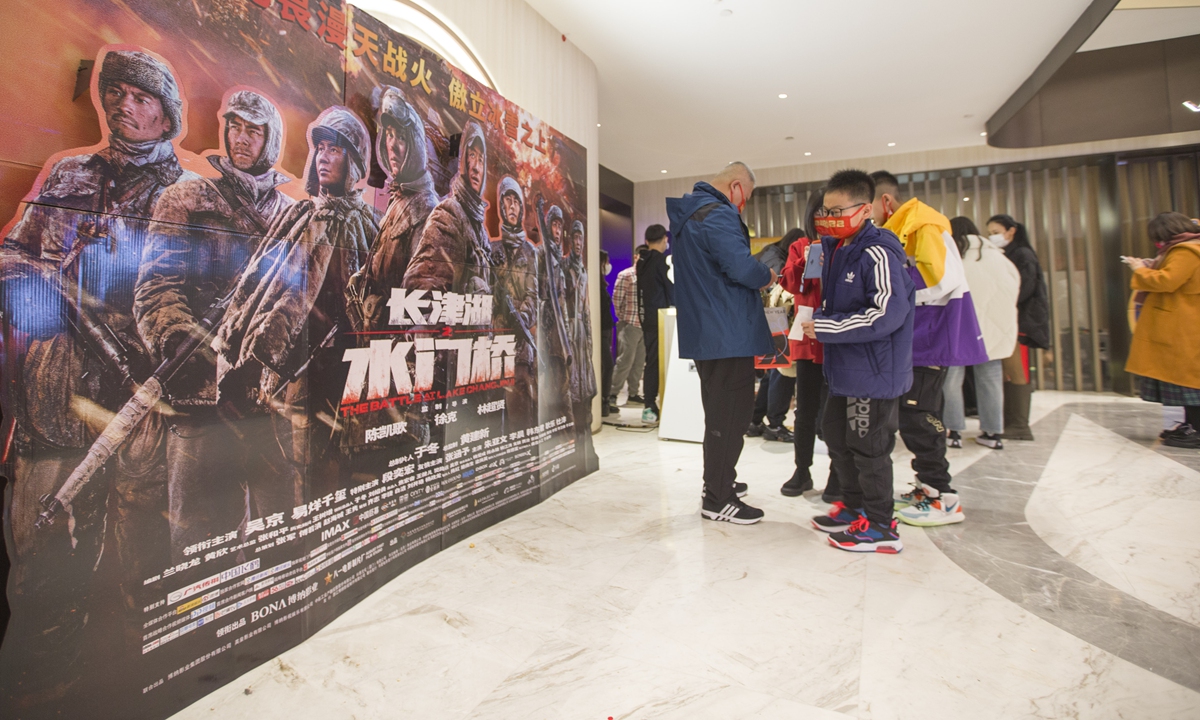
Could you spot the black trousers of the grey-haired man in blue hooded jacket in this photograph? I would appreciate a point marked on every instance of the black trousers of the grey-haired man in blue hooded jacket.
(727, 391)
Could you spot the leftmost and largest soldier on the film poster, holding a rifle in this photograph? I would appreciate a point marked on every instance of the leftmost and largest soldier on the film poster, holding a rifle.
(82, 237)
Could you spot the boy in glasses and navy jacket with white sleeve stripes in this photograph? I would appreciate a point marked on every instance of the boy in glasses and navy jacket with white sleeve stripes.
(866, 322)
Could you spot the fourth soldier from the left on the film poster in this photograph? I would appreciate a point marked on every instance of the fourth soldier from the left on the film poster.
(401, 152)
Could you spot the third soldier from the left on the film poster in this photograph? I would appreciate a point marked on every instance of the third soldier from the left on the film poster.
(280, 346)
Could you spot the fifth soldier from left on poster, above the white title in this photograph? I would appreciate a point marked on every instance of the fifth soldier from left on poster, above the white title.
(454, 250)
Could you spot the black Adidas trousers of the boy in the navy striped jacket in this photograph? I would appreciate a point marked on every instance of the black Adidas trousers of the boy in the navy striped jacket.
(861, 435)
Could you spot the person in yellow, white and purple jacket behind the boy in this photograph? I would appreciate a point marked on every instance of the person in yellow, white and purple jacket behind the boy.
(946, 333)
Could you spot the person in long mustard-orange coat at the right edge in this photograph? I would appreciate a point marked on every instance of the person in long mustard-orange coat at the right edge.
(1166, 351)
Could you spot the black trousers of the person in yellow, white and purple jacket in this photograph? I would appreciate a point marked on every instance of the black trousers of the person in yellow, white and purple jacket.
(922, 430)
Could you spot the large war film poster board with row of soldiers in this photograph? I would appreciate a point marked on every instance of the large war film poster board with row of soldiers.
(313, 309)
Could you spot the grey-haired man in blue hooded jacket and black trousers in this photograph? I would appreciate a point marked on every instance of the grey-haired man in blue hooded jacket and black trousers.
(721, 326)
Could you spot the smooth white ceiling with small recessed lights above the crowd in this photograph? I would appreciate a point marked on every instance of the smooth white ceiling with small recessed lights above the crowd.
(687, 88)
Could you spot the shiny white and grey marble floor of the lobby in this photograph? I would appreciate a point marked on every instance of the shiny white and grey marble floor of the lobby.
(1072, 591)
